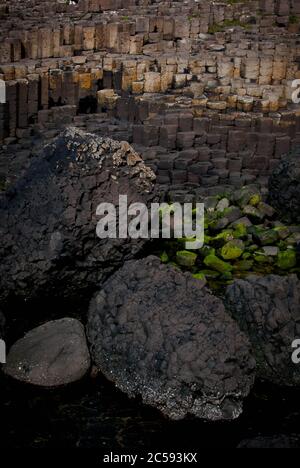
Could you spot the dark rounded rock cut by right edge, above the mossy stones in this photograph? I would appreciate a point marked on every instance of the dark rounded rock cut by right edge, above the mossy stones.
(284, 187)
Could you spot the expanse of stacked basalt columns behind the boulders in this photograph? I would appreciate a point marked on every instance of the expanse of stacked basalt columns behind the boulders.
(202, 89)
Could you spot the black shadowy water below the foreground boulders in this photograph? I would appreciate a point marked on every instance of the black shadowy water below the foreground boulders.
(94, 414)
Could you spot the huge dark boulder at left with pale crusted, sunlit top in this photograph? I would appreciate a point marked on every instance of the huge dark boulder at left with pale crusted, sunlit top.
(48, 222)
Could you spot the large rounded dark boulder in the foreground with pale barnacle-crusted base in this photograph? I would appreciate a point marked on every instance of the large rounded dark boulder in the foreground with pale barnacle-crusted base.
(159, 334)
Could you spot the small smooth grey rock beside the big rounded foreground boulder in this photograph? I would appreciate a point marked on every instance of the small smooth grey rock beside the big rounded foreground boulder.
(50, 355)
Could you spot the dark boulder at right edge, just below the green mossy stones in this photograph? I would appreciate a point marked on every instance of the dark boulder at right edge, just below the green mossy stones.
(268, 311)
